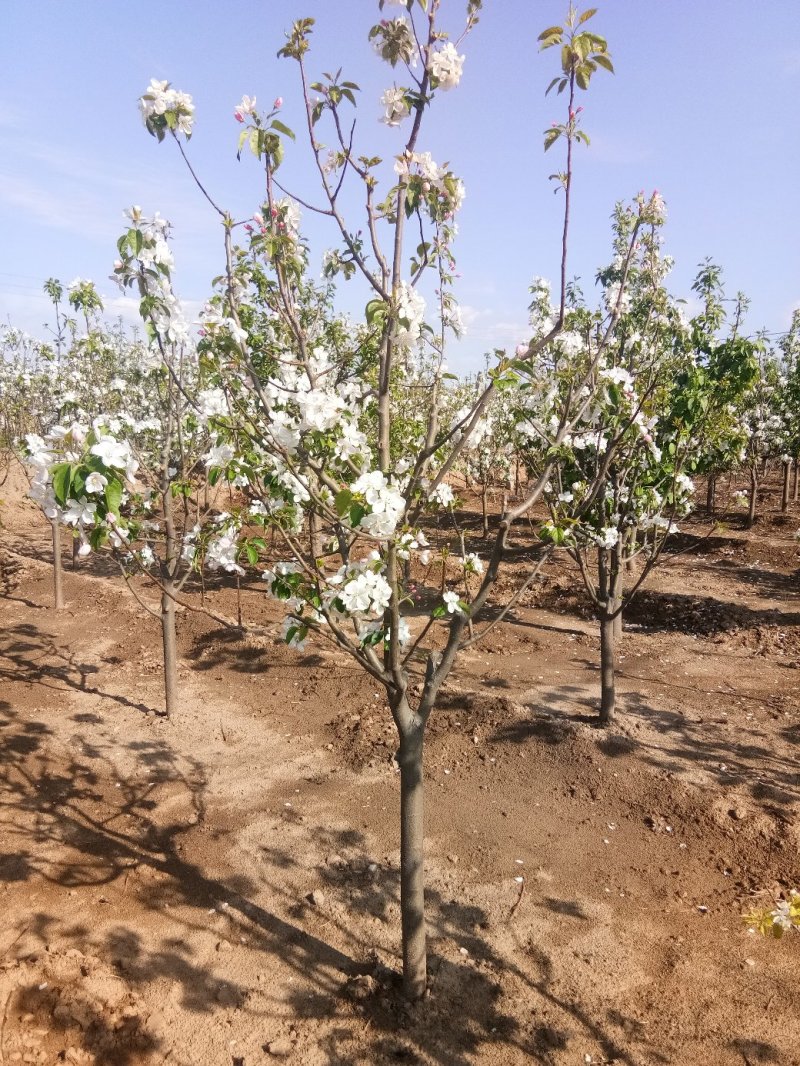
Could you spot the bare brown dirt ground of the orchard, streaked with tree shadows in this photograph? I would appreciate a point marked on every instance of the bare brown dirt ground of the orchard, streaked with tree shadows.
(223, 889)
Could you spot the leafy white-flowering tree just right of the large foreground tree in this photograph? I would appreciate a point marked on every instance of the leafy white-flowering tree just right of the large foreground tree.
(620, 481)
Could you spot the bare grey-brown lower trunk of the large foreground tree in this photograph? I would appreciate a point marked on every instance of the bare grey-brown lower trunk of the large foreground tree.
(412, 868)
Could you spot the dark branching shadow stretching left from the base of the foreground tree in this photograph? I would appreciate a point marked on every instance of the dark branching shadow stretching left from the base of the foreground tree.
(81, 826)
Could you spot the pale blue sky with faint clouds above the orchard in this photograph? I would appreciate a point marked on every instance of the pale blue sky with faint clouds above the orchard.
(701, 108)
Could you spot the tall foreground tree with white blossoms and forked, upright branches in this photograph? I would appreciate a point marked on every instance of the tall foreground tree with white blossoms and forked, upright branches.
(314, 432)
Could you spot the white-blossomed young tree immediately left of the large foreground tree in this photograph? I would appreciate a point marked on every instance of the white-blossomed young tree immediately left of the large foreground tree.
(127, 470)
